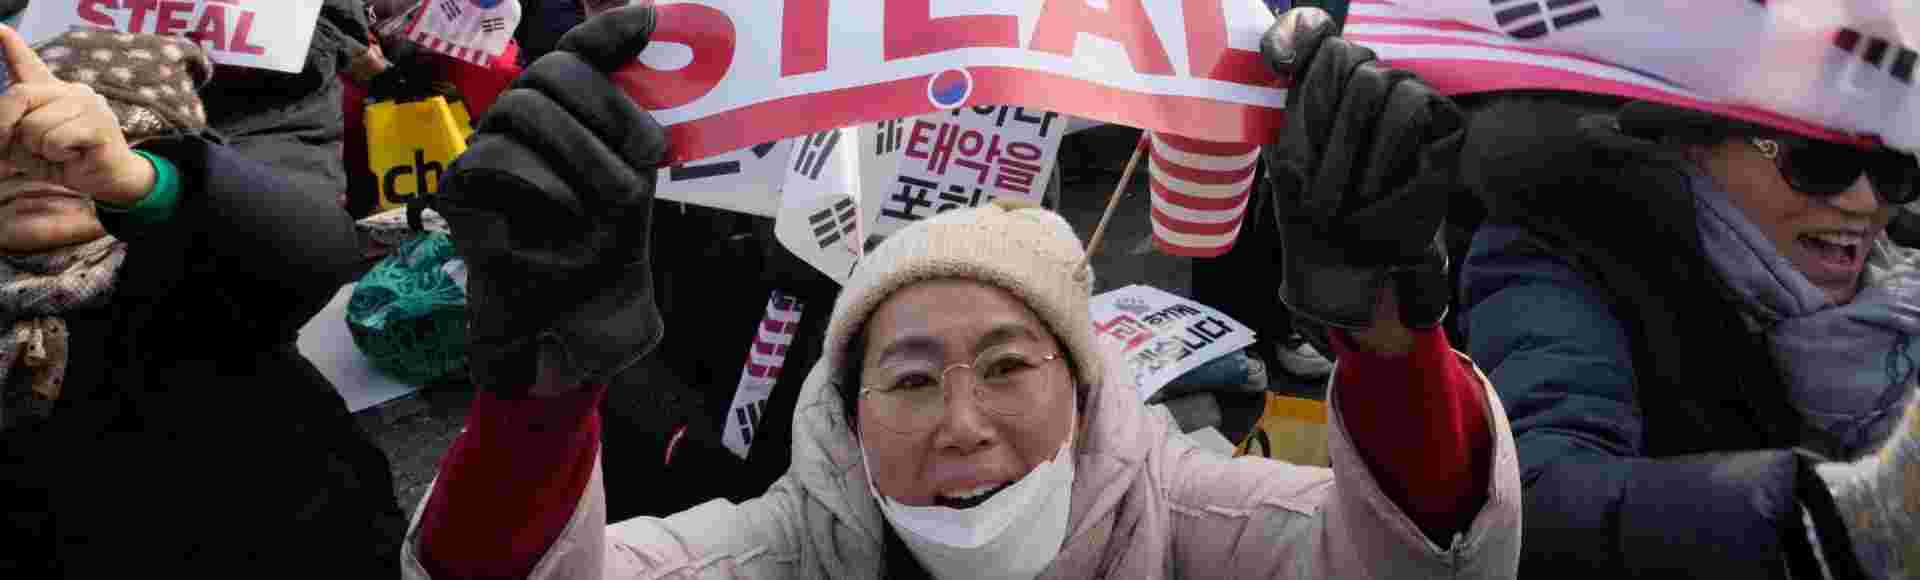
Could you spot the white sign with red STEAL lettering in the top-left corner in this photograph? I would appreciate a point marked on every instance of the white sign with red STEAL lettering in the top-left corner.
(249, 34)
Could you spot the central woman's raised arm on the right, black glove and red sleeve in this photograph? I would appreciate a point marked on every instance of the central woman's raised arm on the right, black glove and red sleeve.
(1362, 176)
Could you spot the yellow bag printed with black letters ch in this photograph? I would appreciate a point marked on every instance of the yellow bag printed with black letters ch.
(410, 147)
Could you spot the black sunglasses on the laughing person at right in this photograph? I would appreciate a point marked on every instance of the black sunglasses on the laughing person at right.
(1823, 170)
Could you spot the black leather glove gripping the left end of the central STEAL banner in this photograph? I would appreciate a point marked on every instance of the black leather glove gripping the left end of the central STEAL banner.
(552, 210)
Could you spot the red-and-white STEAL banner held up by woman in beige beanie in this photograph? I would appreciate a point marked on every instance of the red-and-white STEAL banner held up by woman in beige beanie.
(731, 74)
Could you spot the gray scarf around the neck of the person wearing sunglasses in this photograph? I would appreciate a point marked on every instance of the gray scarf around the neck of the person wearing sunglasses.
(1850, 368)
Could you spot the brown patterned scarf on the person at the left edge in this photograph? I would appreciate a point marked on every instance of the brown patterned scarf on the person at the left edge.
(36, 291)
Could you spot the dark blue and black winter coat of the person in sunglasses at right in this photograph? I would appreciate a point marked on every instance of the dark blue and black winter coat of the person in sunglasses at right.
(1654, 431)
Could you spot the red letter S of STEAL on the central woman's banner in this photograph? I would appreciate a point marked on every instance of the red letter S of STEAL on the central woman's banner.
(708, 32)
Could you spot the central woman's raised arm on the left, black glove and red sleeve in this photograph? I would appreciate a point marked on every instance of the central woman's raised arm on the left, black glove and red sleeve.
(552, 210)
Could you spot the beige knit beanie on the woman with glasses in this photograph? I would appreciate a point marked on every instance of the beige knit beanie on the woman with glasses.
(1026, 251)
